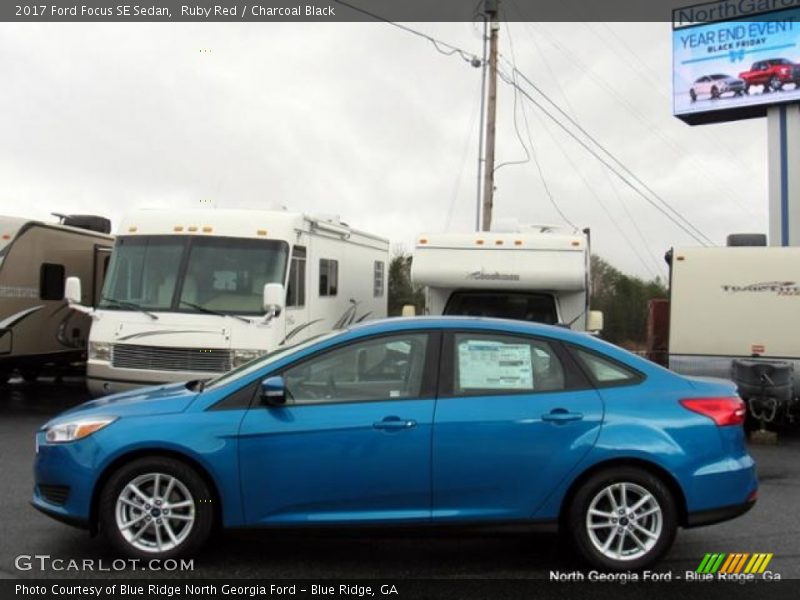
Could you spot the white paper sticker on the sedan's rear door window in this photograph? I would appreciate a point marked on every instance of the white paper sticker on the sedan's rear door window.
(494, 365)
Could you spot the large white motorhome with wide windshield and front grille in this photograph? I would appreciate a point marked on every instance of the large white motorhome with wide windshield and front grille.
(193, 293)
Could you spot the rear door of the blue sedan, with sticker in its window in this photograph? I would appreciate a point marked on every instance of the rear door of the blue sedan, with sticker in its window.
(514, 417)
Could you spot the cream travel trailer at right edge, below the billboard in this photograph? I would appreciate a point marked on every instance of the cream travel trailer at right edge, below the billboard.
(733, 313)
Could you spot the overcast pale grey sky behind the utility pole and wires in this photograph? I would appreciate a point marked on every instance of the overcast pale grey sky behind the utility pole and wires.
(365, 121)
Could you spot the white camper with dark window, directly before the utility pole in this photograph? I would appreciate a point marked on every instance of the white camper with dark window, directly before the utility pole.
(535, 273)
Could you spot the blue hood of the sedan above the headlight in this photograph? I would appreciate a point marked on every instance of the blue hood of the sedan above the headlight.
(147, 401)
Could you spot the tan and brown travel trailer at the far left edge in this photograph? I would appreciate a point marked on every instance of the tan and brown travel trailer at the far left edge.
(37, 329)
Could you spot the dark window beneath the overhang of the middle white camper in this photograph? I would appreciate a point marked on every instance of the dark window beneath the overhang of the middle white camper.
(522, 306)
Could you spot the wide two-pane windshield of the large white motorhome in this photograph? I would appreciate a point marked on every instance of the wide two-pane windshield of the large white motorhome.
(193, 274)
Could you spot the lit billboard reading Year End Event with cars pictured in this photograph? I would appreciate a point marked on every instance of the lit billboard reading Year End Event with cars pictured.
(734, 69)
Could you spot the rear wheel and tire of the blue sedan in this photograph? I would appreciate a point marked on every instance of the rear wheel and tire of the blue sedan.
(662, 523)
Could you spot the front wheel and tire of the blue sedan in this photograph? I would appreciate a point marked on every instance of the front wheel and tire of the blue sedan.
(190, 523)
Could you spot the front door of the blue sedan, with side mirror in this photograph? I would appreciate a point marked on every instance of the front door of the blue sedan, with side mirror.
(352, 442)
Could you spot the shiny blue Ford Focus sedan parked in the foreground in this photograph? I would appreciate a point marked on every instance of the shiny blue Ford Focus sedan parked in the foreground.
(409, 421)
